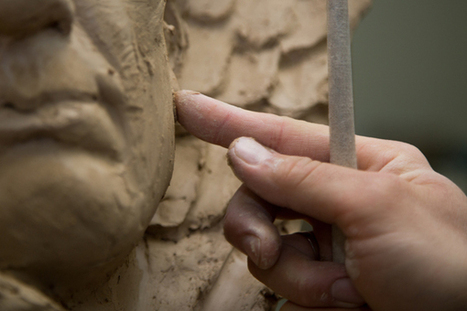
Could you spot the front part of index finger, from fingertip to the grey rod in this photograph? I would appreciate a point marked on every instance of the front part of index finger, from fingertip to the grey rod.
(219, 123)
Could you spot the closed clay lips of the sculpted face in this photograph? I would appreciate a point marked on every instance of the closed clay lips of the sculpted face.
(85, 125)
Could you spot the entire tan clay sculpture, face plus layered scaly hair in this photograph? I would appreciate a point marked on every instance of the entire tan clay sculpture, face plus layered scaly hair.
(87, 142)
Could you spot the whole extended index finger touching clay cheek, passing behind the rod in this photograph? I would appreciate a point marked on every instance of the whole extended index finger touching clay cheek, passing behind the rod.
(219, 123)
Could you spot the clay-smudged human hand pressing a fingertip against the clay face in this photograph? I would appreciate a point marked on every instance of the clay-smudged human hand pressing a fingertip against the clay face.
(406, 225)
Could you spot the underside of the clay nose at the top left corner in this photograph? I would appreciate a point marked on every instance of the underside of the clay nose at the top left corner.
(21, 18)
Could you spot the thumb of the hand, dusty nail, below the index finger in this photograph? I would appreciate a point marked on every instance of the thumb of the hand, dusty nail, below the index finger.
(329, 193)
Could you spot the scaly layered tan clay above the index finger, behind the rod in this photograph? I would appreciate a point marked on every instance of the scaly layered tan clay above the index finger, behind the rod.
(268, 55)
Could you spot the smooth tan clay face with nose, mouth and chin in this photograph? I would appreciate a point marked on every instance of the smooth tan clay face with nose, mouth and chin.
(86, 129)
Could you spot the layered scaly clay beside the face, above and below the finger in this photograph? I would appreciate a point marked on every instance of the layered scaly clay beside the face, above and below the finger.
(262, 55)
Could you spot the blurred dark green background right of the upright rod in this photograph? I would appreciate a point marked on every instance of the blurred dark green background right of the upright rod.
(410, 79)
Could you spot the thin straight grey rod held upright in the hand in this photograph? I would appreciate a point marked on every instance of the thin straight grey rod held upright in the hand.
(341, 112)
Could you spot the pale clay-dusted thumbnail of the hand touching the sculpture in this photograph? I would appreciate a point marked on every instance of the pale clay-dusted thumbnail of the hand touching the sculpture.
(250, 151)
